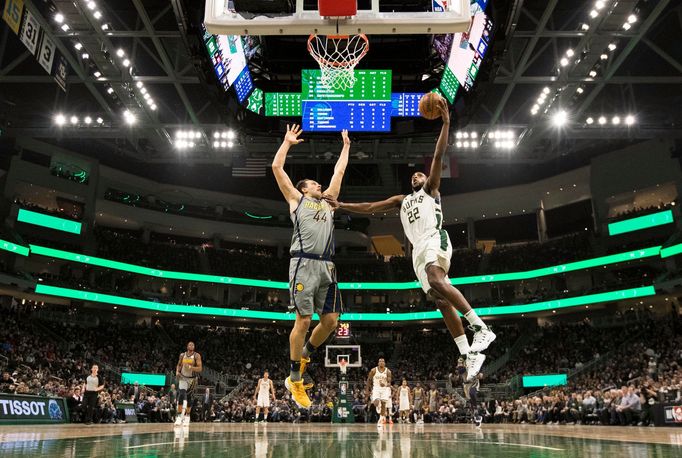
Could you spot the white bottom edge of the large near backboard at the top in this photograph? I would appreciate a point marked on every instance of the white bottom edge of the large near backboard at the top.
(221, 20)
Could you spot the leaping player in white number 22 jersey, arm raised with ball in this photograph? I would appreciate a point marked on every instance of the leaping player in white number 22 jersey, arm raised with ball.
(422, 219)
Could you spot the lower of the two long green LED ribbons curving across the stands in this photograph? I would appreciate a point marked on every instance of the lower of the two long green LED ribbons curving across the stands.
(390, 317)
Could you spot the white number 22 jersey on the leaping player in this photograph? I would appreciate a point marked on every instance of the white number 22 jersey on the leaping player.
(421, 215)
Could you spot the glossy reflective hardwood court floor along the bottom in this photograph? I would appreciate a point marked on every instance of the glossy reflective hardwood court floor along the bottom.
(349, 441)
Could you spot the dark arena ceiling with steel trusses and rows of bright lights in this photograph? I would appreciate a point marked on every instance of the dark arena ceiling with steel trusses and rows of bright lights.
(637, 72)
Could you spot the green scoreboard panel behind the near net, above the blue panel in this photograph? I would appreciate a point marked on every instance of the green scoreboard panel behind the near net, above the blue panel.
(369, 85)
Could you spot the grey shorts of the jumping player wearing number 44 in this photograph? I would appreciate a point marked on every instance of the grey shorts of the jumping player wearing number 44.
(313, 287)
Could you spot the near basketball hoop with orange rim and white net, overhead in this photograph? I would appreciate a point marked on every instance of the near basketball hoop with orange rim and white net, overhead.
(338, 55)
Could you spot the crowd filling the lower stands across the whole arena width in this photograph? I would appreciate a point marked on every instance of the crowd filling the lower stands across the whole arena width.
(620, 371)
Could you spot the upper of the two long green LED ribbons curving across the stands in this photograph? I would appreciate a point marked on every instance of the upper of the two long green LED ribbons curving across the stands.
(542, 272)
